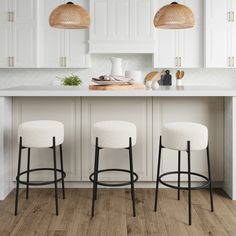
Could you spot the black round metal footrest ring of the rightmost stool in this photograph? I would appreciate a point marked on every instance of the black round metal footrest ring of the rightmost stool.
(205, 184)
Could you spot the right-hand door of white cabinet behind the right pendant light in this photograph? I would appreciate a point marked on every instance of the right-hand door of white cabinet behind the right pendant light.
(190, 43)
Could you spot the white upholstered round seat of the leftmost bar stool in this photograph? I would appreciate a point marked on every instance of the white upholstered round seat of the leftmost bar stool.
(40, 133)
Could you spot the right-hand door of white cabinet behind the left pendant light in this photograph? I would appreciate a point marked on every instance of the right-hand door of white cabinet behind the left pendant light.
(76, 46)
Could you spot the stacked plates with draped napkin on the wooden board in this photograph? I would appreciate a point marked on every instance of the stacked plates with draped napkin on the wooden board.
(112, 80)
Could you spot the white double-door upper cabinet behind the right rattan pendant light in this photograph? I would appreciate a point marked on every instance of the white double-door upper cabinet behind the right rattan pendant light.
(180, 48)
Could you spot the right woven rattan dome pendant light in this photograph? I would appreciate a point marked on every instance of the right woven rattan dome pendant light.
(174, 16)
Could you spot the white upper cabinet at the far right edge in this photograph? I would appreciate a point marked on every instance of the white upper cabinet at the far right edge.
(220, 34)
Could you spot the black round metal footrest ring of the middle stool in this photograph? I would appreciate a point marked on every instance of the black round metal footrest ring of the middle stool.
(91, 177)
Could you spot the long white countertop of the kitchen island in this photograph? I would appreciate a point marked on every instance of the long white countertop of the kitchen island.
(163, 91)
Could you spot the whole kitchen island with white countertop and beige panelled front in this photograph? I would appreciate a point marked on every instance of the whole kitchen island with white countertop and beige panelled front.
(79, 109)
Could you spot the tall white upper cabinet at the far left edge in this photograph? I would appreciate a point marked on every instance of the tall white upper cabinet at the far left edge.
(18, 33)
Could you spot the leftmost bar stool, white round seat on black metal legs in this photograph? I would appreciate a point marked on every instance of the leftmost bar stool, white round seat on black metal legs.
(40, 134)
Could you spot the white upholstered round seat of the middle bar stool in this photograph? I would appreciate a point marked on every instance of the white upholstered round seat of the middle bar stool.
(114, 134)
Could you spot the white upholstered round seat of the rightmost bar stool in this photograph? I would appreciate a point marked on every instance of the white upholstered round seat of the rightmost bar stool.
(176, 135)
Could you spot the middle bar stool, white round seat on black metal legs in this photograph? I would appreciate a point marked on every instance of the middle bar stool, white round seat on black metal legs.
(113, 135)
